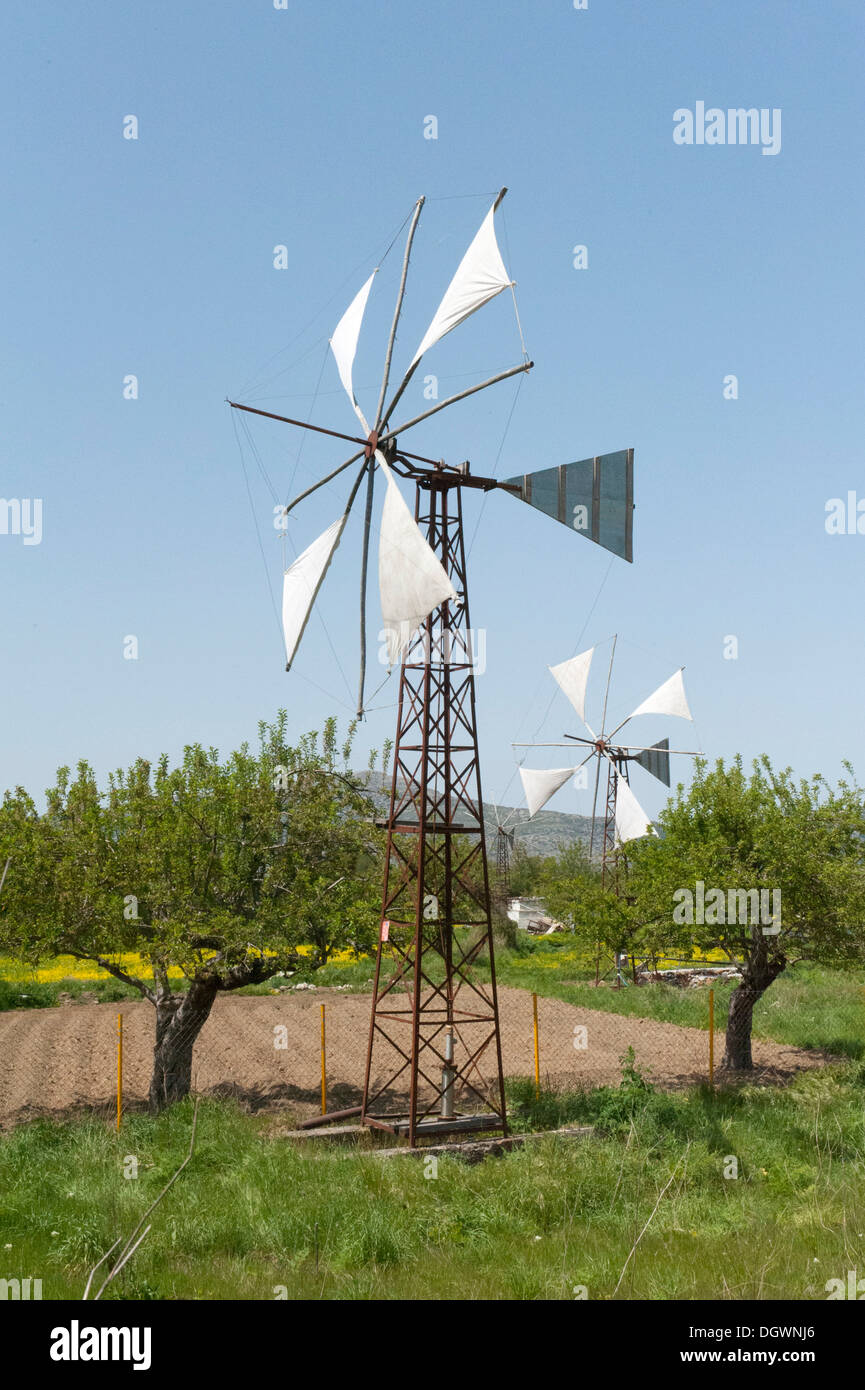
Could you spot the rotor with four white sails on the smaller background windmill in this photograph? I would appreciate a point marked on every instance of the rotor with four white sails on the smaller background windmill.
(624, 817)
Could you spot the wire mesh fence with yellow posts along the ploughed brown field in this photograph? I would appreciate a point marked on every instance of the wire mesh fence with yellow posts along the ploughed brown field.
(302, 1050)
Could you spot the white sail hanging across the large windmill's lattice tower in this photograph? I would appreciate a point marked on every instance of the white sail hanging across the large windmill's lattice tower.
(411, 576)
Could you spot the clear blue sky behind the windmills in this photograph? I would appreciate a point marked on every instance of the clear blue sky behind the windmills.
(304, 127)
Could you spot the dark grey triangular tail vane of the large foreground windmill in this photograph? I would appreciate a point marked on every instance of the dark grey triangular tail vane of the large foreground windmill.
(593, 497)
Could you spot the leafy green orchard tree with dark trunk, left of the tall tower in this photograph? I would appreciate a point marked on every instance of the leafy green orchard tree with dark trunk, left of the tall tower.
(219, 868)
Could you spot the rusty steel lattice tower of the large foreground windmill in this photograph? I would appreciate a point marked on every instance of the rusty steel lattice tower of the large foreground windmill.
(436, 876)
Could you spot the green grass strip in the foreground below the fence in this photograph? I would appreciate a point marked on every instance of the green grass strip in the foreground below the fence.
(247, 1216)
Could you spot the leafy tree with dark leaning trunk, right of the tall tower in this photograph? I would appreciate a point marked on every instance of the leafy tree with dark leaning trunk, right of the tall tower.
(732, 839)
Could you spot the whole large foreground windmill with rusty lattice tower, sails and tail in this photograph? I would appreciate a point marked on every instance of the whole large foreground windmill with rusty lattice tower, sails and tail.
(433, 1021)
